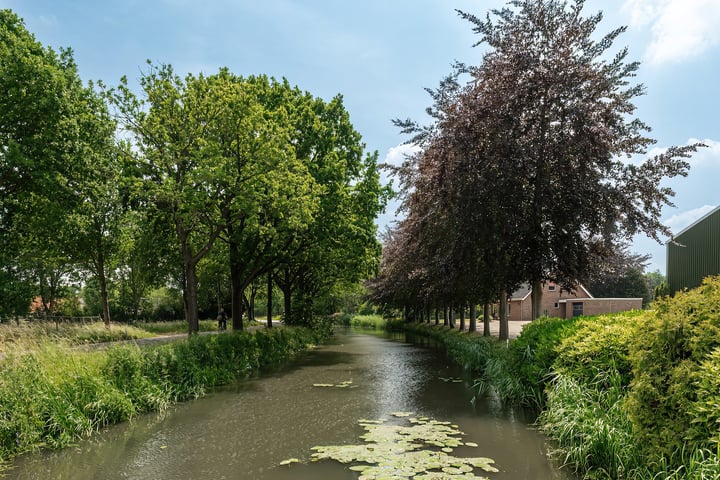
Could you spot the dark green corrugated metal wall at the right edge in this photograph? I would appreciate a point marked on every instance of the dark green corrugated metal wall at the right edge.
(699, 256)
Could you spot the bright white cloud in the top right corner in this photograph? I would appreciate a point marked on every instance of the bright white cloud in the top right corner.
(681, 29)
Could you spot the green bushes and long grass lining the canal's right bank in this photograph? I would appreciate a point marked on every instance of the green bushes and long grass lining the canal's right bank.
(625, 396)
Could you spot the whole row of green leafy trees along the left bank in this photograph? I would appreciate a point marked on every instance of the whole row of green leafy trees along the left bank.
(198, 182)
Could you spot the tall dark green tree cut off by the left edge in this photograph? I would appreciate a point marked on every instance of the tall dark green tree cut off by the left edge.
(44, 112)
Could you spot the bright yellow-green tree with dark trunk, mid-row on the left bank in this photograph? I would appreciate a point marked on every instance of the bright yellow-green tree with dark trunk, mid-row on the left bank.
(268, 196)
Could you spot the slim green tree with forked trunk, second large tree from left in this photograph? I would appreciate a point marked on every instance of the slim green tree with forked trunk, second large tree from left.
(176, 165)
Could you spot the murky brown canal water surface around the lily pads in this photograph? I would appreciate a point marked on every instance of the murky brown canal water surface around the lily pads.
(244, 431)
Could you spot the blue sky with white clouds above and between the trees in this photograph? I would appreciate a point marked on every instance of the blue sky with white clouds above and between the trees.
(381, 54)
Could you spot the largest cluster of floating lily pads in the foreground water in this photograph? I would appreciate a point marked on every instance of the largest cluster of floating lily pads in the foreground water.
(417, 451)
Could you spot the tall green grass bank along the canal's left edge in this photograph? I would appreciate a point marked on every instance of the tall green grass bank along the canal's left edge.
(53, 394)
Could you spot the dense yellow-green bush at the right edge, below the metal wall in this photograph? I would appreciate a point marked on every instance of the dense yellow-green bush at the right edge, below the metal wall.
(668, 359)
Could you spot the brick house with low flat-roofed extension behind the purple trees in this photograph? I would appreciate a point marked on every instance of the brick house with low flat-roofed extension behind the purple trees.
(557, 302)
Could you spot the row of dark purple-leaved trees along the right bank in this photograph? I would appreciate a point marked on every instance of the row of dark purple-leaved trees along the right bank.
(529, 171)
